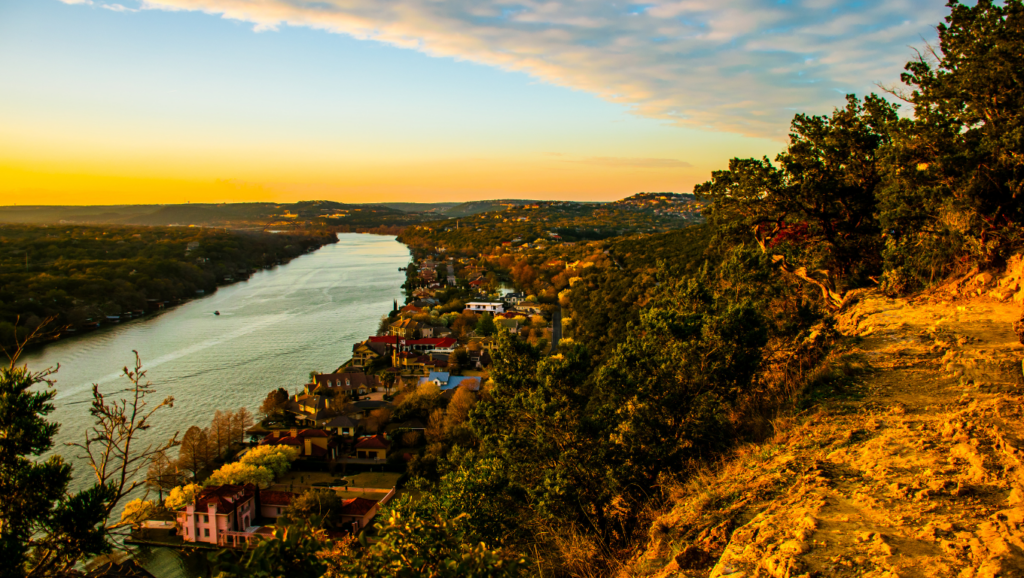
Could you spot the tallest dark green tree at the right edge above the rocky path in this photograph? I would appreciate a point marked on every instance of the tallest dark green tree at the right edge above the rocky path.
(956, 172)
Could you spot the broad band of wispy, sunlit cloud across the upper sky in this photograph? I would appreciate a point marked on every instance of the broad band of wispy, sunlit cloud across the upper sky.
(742, 66)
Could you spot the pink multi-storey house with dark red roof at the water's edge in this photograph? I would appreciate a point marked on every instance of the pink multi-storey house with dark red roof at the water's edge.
(218, 511)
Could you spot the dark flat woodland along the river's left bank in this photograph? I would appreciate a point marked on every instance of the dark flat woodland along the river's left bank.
(81, 275)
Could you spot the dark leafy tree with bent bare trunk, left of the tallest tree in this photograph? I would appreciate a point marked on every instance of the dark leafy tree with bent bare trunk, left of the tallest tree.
(814, 213)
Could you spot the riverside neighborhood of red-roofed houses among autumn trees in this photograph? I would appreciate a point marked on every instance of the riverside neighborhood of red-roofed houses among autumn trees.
(356, 429)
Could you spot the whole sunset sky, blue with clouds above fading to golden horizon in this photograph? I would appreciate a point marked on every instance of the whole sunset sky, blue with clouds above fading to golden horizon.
(372, 101)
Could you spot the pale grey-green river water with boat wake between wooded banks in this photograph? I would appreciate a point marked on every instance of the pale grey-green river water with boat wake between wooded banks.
(273, 331)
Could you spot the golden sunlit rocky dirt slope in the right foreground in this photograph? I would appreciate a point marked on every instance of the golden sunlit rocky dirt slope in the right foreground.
(909, 465)
